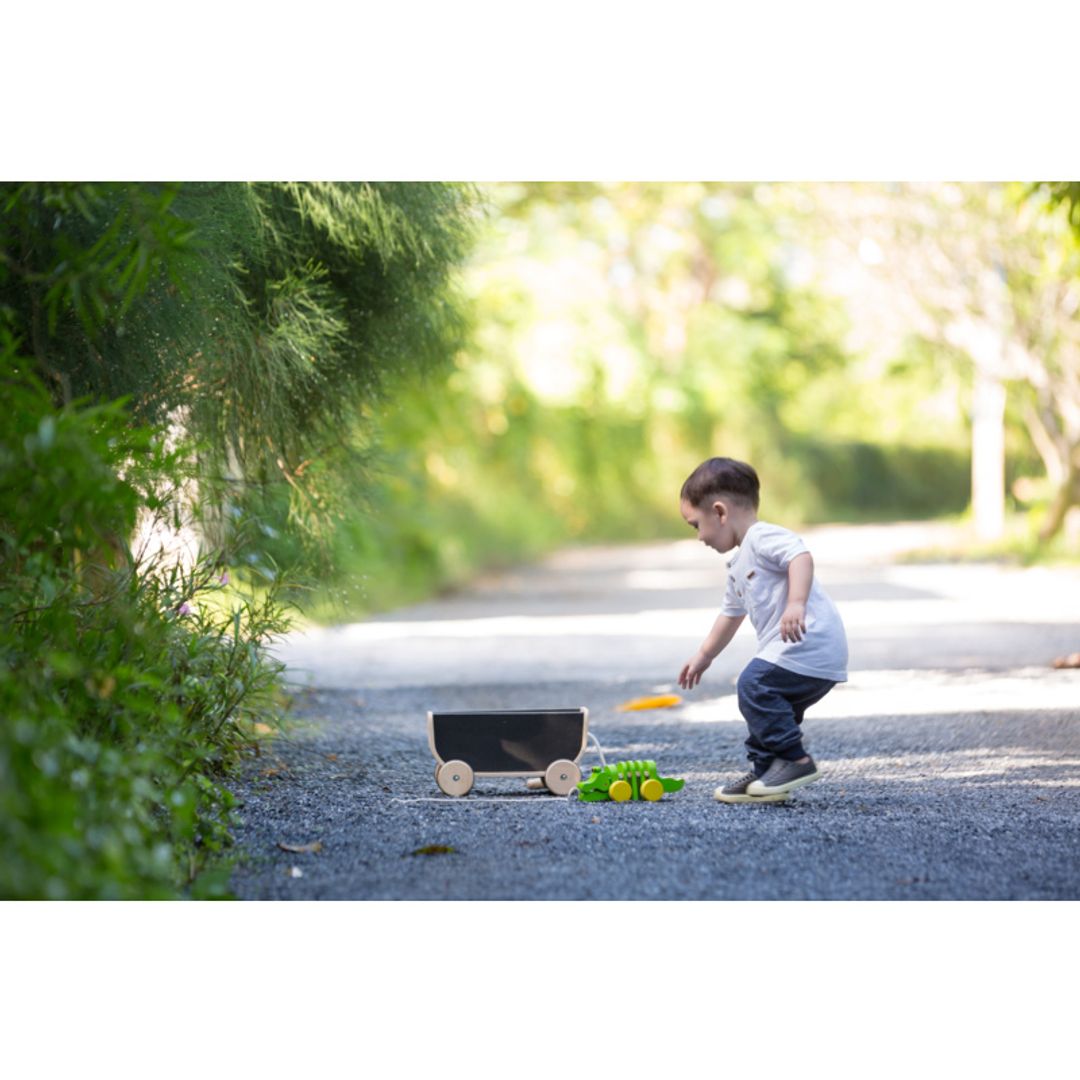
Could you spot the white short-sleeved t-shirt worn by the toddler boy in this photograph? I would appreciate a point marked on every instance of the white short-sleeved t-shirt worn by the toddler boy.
(758, 587)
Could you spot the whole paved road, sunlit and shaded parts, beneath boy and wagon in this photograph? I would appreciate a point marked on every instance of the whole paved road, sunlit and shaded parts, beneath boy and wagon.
(952, 757)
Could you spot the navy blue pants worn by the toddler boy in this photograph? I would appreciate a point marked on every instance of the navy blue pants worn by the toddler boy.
(773, 701)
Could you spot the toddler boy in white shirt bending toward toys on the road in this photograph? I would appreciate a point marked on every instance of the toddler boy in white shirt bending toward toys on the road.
(803, 651)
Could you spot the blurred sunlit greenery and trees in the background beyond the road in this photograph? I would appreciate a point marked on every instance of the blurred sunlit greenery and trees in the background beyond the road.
(881, 353)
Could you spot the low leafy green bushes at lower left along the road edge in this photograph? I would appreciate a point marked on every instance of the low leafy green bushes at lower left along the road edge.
(127, 685)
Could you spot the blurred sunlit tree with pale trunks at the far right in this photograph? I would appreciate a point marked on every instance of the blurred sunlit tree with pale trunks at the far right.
(975, 269)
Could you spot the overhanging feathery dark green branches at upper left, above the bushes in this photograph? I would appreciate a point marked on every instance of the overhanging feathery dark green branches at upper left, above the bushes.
(260, 317)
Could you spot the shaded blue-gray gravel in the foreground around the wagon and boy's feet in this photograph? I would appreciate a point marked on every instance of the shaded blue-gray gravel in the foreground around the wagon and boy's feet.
(987, 806)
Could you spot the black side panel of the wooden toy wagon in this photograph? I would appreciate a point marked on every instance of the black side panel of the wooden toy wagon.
(516, 741)
